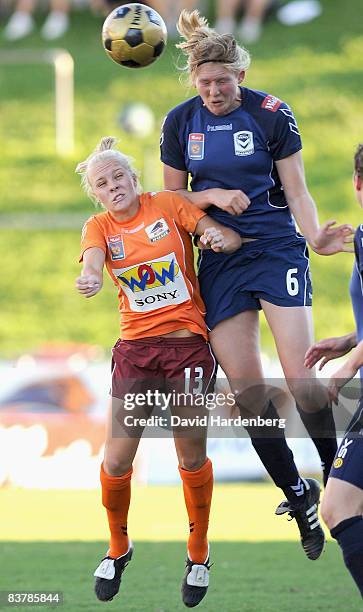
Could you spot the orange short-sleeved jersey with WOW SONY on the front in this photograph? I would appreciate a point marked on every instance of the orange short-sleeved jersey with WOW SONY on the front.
(150, 259)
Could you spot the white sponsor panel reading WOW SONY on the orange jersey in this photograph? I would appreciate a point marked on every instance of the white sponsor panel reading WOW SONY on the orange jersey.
(153, 284)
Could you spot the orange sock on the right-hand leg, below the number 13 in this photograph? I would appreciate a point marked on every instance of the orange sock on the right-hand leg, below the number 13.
(198, 488)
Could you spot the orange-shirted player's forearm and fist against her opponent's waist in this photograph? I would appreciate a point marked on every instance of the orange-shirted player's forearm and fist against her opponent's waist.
(218, 237)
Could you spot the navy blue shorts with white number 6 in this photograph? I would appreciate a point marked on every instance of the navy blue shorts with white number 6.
(273, 270)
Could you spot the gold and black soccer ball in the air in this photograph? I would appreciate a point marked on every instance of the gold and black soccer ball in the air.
(134, 35)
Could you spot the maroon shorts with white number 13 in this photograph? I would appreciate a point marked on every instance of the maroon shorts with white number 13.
(183, 365)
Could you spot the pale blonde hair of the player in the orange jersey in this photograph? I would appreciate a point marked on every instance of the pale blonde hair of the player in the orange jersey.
(104, 151)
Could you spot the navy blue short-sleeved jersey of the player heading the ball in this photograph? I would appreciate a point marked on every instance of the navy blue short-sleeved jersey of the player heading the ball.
(236, 151)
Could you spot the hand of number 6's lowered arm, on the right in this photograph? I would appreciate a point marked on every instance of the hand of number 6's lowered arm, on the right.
(330, 239)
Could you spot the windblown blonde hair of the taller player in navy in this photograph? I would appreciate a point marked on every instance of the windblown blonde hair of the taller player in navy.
(203, 44)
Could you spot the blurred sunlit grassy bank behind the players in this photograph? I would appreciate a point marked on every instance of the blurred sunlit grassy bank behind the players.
(314, 67)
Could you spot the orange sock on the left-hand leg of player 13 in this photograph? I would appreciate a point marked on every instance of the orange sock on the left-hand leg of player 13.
(116, 494)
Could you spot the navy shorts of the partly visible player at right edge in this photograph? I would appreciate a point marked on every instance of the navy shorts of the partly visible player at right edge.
(348, 462)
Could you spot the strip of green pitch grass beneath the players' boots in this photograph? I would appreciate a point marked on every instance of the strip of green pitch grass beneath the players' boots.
(251, 577)
